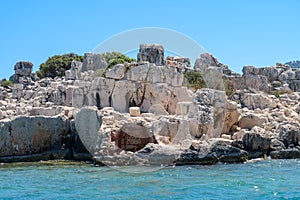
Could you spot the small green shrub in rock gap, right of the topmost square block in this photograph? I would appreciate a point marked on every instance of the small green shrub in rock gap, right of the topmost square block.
(194, 80)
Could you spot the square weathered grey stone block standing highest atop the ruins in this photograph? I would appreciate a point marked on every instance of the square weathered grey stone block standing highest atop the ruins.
(153, 53)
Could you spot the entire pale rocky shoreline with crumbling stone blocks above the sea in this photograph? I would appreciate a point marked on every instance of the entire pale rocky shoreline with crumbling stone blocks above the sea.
(145, 112)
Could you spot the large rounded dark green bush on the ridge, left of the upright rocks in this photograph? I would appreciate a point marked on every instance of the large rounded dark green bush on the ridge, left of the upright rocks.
(57, 65)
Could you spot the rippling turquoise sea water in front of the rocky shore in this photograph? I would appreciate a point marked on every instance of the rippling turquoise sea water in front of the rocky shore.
(271, 179)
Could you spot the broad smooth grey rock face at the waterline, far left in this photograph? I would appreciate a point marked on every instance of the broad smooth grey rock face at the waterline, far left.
(33, 135)
